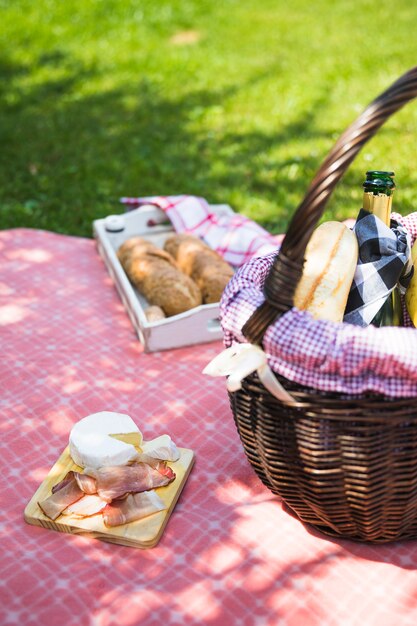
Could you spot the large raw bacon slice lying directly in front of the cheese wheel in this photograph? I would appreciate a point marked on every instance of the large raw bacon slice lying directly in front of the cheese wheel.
(113, 482)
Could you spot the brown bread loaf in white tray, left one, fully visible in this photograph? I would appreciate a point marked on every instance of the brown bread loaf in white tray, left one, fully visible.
(156, 275)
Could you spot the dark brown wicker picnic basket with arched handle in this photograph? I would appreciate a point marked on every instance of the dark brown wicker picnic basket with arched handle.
(347, 465)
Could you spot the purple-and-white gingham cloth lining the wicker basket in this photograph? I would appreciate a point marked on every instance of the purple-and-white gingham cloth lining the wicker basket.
(325, 355)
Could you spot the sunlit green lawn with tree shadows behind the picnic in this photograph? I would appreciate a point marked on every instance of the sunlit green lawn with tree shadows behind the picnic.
(104, 98)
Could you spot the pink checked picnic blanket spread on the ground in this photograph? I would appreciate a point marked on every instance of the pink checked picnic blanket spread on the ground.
(230, 554)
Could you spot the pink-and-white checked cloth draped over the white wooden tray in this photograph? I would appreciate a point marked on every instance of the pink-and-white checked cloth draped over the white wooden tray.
(235, 237)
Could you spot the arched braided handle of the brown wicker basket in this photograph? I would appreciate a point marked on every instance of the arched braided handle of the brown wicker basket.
(285, 273)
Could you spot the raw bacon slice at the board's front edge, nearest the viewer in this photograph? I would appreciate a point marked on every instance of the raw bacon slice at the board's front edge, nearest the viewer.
(134, 507)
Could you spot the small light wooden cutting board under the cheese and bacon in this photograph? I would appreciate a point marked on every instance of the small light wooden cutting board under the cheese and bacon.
(144, 533)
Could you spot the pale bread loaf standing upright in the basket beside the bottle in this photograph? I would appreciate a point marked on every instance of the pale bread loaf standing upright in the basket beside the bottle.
(330, 262)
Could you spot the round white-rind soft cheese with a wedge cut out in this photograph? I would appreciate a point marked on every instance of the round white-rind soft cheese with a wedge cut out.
(104, 439)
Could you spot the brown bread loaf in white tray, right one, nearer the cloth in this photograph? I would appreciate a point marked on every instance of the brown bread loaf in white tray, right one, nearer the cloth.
(205, 266)
